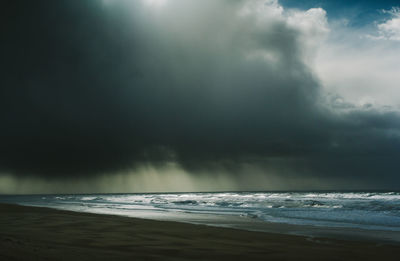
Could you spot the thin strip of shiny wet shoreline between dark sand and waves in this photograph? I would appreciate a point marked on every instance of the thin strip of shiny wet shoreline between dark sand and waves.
(256, 225)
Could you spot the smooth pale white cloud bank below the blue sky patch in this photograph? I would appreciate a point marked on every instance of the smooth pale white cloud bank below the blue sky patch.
(362, 70)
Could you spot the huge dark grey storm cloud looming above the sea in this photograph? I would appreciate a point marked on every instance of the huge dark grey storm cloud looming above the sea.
(95, 87)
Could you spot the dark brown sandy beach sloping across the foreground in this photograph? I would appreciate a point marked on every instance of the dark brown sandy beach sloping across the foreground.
(30, 233)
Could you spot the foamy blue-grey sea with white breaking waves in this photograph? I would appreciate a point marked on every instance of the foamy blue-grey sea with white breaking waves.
(363, 210)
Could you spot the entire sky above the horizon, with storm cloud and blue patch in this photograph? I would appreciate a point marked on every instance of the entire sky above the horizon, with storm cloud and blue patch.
(185, 95)
